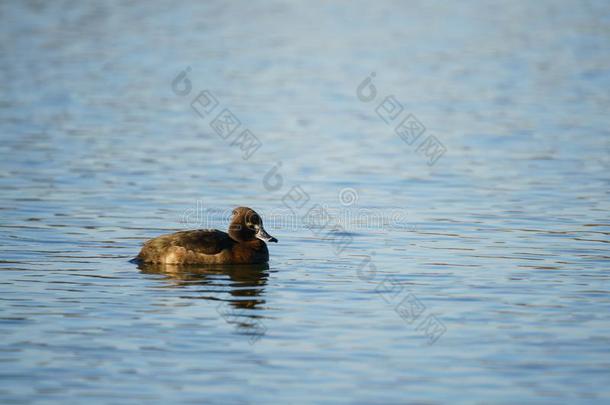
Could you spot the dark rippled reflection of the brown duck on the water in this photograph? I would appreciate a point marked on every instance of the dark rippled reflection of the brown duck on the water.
(244, 283)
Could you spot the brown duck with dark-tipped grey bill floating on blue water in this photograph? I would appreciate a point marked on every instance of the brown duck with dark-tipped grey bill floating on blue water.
(244, 243)
